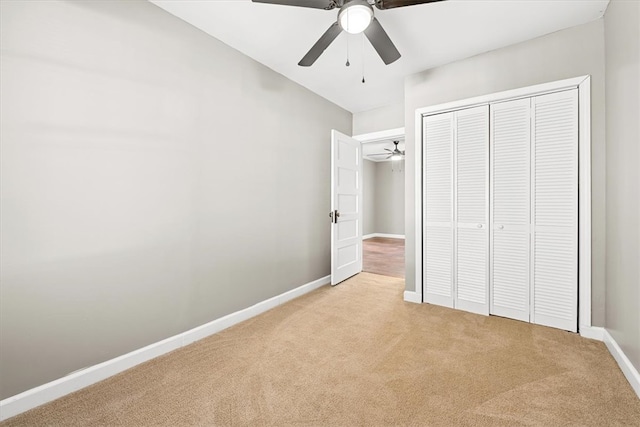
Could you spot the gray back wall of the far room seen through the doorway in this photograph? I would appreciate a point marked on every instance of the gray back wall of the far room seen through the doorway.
(389, 199)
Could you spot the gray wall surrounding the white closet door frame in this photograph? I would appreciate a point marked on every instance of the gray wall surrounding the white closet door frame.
(569, 53)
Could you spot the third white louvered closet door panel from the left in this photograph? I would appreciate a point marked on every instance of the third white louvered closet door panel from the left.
(510, 209)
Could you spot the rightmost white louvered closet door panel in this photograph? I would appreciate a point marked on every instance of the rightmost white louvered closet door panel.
(555, 210)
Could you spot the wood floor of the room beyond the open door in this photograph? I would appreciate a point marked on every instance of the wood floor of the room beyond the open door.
(383, 255)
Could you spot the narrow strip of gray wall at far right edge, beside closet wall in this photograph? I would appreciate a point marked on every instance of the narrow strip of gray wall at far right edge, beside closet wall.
(622, 46)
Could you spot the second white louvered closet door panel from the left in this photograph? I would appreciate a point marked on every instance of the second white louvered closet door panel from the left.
(472, 210)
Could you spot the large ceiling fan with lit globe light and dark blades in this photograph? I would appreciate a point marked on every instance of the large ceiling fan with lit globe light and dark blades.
(354, 17)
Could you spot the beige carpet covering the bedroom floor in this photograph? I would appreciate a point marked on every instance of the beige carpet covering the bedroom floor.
(355, 355)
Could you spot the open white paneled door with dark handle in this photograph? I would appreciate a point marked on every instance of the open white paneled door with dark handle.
(346, 207)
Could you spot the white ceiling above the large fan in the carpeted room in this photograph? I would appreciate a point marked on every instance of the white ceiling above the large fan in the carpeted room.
(426, 35)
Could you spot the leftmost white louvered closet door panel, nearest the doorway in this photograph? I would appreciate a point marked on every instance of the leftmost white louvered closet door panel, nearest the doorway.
(438, 209)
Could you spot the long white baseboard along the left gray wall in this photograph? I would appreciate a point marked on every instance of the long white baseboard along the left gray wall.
(34, 397)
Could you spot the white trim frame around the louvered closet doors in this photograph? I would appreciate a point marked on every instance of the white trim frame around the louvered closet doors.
(583, 83)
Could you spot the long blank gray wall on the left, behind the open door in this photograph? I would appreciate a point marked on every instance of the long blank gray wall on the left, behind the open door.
(153, 179)
